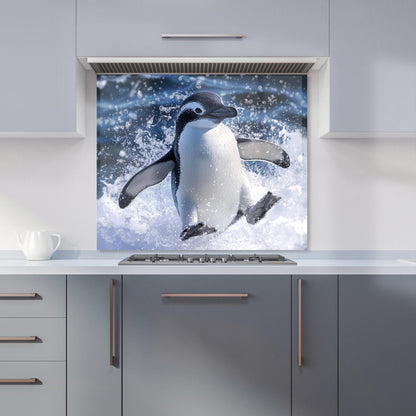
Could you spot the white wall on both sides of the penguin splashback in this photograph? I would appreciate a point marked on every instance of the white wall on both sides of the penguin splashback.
(362, 193)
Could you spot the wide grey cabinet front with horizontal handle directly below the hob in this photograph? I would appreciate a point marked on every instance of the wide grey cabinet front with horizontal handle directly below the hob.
(206, 356)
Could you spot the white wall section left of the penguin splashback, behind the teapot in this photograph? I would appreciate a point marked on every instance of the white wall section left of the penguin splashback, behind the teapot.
(50, 184)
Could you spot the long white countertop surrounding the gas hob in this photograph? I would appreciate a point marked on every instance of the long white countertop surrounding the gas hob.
(305, 266)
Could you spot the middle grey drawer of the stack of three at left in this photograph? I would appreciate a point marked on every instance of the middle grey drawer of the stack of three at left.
(49, 344)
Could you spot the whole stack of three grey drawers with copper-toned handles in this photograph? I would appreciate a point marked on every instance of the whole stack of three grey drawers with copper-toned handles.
(32, 345)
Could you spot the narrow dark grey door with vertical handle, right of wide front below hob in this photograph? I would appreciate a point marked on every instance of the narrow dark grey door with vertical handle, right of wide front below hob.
(314, 382)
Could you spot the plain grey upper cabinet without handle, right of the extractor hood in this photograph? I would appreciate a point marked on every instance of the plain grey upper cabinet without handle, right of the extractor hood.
(372, 68)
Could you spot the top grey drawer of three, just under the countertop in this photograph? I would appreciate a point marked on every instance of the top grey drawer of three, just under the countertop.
(41, 296)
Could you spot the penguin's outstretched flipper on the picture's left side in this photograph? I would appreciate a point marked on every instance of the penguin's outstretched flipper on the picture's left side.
(151, 175)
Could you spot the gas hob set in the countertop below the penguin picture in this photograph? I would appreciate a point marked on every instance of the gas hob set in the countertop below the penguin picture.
(139, 259)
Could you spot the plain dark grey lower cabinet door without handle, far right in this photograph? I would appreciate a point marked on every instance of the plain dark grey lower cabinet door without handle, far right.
(377, 344)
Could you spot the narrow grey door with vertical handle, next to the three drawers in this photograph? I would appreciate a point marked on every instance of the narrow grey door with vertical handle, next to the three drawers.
(94, 385)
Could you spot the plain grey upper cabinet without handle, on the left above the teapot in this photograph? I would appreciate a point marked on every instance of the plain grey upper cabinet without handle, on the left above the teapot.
(39, 71)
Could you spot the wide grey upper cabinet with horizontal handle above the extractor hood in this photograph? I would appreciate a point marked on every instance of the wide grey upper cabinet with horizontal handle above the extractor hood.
(269, 27)
